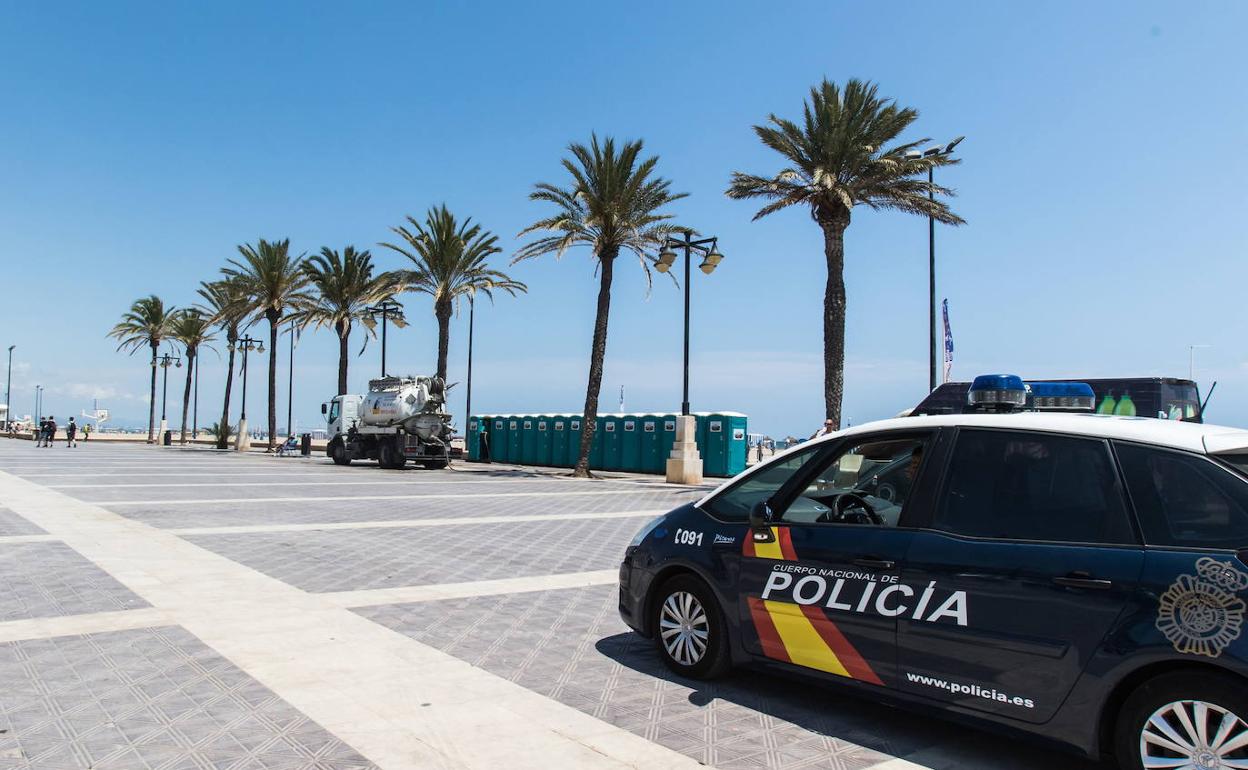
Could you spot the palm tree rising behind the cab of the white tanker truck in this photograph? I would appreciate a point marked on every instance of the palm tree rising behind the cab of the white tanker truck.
(346, 286)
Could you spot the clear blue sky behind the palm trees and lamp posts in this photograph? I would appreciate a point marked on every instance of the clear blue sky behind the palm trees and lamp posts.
(1104, 188)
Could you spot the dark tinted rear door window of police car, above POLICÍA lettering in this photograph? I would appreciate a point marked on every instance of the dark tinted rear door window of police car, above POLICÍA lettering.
(1033, 487)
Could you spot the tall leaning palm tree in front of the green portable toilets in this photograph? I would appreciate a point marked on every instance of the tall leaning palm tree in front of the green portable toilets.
(612, 205)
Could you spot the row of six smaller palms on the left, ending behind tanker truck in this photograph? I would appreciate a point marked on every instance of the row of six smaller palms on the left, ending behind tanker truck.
(330, 290)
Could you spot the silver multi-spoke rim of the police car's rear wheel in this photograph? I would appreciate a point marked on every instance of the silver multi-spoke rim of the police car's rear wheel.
(1195, 736)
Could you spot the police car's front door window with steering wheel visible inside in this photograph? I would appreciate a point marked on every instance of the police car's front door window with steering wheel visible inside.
(867, 484)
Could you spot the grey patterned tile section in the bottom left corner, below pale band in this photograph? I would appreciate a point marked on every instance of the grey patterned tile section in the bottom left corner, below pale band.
(150, 699)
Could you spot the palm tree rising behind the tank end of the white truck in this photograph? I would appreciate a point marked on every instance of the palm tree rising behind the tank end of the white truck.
(450, 261)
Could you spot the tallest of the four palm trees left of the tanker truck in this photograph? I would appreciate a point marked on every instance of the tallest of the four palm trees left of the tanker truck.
(275, 281)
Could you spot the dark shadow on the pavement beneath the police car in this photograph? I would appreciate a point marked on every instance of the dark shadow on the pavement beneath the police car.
(838, 713)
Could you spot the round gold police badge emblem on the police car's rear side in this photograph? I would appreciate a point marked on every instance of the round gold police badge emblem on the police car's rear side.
(1201, 613)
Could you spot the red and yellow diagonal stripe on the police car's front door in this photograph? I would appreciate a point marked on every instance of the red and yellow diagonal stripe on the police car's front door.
(802, 633)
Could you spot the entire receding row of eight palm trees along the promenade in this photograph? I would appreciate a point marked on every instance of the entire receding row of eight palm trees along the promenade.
(844, 153)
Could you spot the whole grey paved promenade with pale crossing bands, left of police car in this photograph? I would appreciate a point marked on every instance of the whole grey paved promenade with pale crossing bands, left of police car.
(172, 610)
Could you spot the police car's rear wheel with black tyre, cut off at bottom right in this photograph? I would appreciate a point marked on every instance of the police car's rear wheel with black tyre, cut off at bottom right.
(1154, 717)
